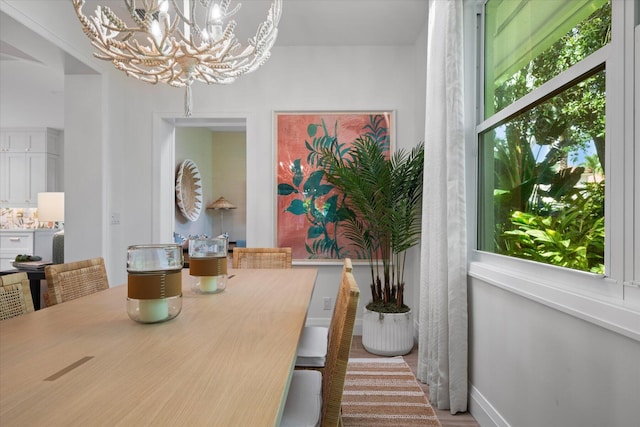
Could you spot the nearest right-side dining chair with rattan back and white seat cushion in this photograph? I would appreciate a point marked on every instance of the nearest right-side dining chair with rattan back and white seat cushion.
(315, 398)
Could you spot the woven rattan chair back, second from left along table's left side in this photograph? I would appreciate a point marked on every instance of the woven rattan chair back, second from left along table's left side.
(73, 280)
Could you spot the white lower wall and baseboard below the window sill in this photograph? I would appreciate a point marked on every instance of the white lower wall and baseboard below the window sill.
(532, 365)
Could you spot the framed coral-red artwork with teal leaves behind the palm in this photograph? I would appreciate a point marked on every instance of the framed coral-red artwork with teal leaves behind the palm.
(307, 218)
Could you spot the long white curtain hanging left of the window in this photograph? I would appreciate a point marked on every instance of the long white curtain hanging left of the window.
(442, 357)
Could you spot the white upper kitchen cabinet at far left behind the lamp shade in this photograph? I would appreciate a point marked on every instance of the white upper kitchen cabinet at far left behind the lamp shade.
(29, 160)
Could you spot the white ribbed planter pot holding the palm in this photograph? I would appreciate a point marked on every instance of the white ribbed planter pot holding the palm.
(387, 334)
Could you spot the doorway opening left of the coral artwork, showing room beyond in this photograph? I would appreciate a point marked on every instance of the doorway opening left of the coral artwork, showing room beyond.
(218, 146)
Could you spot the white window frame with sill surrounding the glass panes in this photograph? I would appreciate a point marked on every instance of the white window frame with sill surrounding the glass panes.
(611, 300)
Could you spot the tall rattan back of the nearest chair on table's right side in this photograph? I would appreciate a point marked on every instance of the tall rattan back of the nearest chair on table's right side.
(340, 337)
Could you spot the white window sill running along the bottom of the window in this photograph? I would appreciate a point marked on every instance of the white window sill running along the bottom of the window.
(605, 311)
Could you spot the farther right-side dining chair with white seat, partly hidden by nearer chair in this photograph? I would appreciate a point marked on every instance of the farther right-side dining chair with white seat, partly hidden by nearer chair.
(312, 346)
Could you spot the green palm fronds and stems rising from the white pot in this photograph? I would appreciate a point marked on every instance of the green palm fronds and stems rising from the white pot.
(385, 196)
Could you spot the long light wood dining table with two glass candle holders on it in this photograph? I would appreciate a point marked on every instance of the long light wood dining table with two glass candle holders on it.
(225, 360)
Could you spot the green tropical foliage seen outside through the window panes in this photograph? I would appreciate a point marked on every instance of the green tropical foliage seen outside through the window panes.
(544, 167)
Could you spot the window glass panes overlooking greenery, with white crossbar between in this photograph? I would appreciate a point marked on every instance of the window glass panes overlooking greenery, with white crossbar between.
(542, 139)
